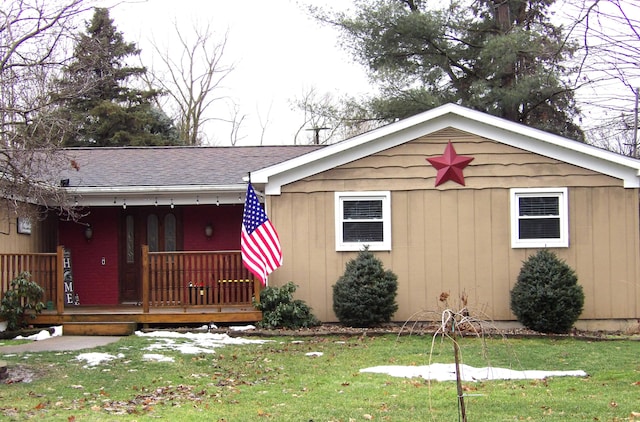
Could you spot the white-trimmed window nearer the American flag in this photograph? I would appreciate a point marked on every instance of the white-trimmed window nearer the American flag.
(363, 218)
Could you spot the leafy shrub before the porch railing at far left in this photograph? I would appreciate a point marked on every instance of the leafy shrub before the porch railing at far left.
(22, 295)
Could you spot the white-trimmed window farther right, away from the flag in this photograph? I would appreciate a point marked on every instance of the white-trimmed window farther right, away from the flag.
(539, 218)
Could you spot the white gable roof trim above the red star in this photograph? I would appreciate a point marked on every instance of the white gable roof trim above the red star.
(450, 115)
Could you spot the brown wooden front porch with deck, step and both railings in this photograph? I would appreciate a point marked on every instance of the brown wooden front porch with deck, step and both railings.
(176, 288)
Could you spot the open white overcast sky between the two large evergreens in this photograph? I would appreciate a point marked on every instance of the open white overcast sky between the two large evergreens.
(279, 53)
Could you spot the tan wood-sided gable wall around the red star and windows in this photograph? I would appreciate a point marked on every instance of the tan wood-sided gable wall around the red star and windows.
(455, 238)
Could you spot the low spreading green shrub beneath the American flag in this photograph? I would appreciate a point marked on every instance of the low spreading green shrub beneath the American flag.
(281, 310)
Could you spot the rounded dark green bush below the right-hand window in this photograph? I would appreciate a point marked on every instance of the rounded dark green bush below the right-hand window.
(547, 297)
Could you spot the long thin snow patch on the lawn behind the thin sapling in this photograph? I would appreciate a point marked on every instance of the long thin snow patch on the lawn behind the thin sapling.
(447, 372)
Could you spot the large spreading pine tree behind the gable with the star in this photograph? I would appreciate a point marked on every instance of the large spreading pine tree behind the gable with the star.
(503, 57)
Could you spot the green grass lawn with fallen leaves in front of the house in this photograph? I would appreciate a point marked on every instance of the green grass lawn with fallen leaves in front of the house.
(278, 381)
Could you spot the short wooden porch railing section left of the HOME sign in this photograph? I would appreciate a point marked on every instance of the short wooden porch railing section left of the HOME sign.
(43, 268)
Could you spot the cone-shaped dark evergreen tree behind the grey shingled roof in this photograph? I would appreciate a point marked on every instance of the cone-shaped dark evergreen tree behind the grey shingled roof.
(95, 96)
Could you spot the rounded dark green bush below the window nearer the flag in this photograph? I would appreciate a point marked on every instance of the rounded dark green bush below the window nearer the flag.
(365, 295)
